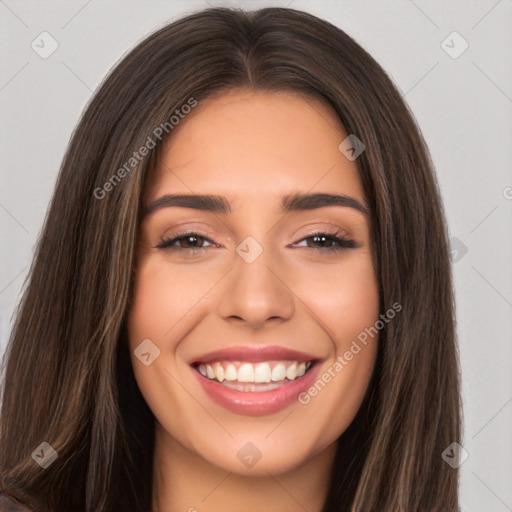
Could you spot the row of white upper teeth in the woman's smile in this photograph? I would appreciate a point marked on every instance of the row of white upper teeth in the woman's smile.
(253, 372)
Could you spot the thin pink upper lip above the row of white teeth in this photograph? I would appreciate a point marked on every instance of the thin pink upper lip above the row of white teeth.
(255, 354)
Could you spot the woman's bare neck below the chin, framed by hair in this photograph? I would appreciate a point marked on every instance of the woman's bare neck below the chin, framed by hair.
(183, 481)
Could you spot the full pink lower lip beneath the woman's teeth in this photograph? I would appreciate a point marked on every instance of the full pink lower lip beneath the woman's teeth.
(257, 403)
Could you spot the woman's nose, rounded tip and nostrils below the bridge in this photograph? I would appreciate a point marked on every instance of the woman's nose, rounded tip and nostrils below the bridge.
(256, 293)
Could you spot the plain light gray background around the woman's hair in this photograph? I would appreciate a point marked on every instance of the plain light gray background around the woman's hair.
(463, 106)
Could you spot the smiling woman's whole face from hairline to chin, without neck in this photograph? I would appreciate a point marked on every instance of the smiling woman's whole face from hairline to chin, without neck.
(252, 289)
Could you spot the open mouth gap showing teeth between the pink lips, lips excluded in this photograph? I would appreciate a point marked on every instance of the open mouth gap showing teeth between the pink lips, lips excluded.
(254, 377)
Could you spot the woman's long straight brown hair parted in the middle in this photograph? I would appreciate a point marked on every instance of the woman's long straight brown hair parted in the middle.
(68, 378)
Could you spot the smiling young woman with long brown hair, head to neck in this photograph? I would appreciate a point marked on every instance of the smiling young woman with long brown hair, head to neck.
(241, 298)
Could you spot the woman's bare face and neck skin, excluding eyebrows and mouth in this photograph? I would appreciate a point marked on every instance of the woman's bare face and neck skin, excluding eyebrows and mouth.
(253, 148)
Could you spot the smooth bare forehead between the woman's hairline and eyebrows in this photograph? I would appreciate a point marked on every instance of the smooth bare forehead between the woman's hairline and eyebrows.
(256, 144)
